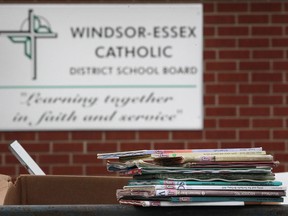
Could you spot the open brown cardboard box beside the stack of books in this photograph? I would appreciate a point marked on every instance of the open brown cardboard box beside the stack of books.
(60, 189)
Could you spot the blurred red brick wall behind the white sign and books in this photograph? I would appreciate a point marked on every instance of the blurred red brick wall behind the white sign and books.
(245, 96)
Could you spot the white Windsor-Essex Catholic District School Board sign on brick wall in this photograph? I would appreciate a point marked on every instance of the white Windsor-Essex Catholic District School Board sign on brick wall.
(101, 66)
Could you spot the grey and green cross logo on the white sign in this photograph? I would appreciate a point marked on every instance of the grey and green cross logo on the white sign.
(36, 27)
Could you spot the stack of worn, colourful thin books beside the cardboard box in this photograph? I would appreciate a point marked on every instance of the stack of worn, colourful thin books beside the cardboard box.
(193, 177)
